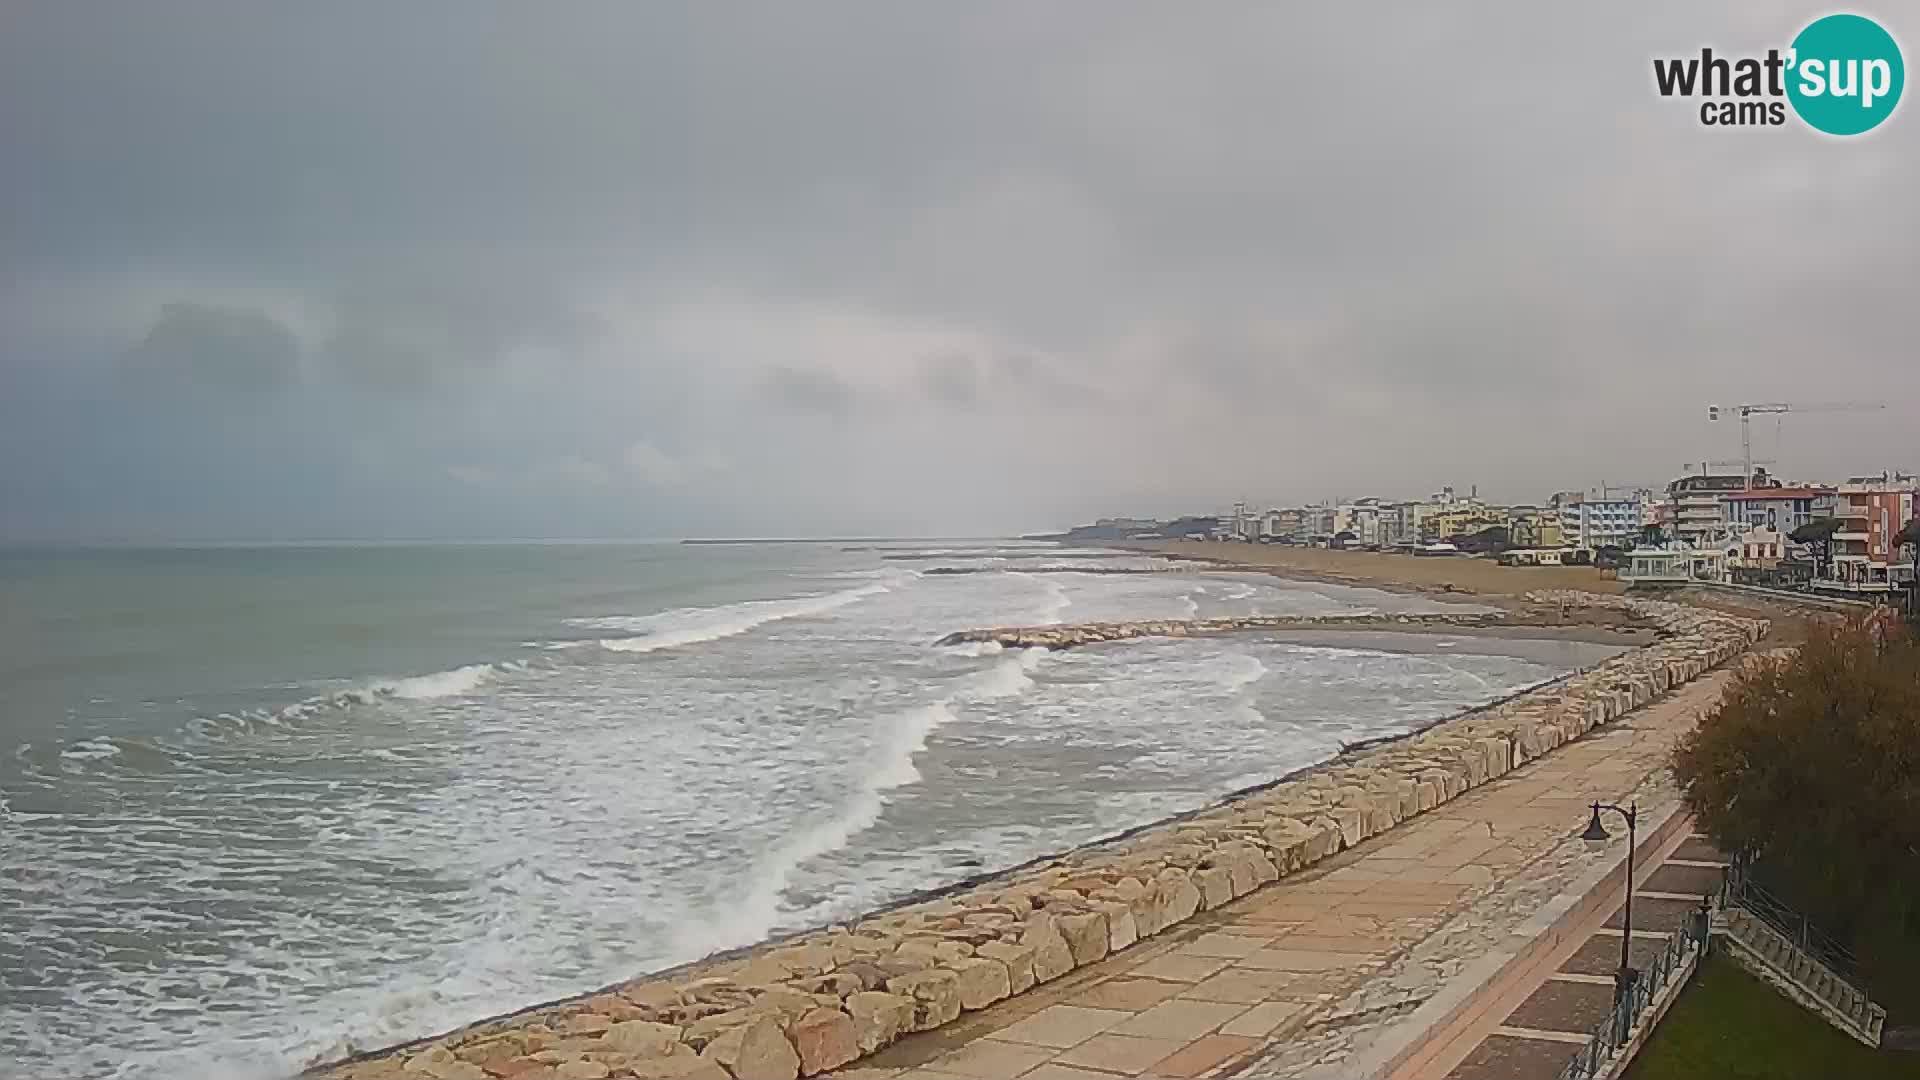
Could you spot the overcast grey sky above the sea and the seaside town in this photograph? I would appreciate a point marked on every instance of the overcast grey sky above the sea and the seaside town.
(654, 270)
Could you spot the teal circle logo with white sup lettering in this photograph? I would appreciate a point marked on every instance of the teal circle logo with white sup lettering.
(1846, 74)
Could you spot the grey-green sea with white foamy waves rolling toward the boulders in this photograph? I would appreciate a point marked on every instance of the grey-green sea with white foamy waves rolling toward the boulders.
(268, 806)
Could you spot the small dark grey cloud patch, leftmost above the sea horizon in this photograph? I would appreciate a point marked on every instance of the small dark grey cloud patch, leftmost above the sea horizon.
(222, 349)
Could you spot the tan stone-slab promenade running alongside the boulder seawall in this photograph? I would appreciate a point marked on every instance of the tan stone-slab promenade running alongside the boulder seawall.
(1335, 973)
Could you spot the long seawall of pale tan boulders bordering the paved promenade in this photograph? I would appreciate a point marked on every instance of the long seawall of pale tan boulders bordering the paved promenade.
(827, 998)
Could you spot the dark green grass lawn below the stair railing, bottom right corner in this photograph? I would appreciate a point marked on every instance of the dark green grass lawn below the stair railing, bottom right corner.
(1729, 1025)
